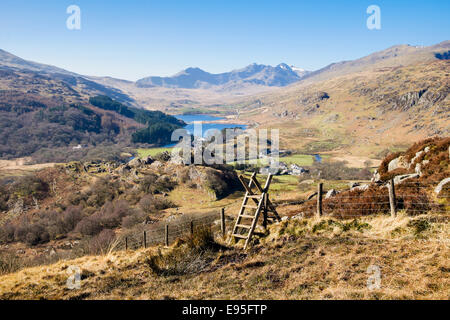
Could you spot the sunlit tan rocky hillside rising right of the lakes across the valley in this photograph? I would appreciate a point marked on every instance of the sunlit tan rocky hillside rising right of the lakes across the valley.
(365, 110)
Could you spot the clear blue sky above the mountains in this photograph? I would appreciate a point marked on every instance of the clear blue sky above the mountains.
(134, 39)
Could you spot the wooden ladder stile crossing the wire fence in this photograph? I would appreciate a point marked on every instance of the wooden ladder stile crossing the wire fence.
(261, 199)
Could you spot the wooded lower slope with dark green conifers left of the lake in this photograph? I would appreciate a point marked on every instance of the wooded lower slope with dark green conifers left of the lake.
(52, 127)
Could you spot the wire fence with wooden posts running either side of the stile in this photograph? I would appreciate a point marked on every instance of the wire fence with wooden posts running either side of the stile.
(411, 197)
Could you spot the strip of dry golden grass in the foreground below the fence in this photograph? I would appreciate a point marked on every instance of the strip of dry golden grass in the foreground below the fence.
(297, 259)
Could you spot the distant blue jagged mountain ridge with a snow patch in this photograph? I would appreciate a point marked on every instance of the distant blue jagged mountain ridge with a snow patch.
(255, 74)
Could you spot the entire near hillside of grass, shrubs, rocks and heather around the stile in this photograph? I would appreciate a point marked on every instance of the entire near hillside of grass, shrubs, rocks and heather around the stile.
(301, 257)
